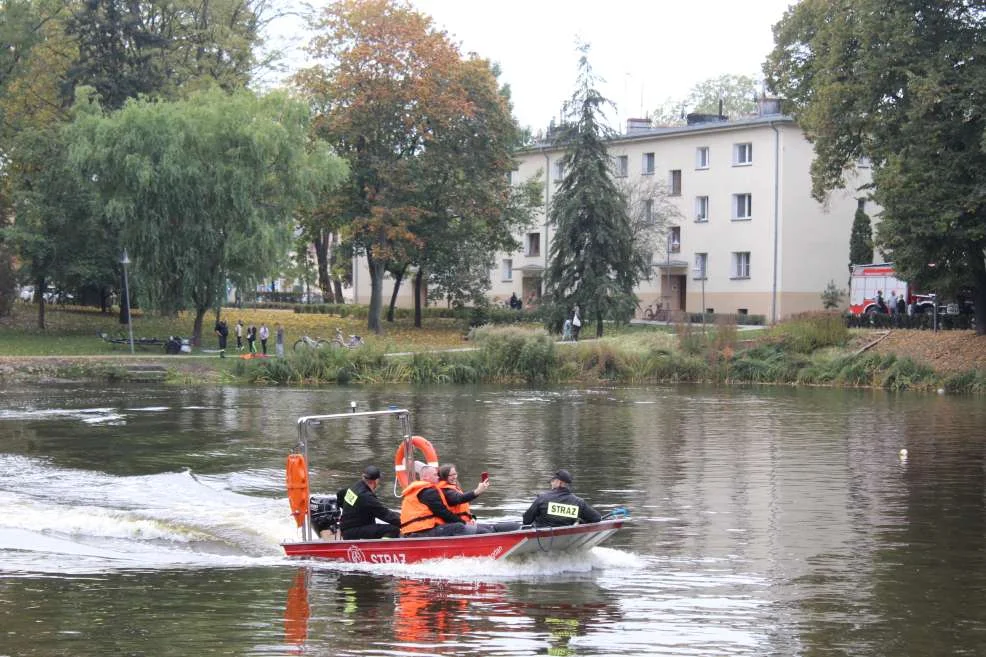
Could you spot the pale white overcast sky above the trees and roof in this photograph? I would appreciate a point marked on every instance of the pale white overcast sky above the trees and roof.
(646, 51)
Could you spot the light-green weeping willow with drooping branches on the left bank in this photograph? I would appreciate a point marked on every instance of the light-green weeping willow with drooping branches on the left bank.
(203, 189)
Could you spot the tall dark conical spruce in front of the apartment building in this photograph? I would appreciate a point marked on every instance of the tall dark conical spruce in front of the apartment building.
(594, 259)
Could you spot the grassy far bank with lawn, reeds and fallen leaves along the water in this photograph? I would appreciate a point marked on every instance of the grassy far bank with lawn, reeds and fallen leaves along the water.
(811, 350)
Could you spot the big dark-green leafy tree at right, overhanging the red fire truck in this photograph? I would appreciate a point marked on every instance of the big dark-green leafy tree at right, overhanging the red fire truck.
(899, 83)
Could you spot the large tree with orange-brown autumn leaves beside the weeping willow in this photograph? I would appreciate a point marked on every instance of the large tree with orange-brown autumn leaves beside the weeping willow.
(428, 136)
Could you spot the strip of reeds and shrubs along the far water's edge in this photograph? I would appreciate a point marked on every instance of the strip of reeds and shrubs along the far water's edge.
(807, 350)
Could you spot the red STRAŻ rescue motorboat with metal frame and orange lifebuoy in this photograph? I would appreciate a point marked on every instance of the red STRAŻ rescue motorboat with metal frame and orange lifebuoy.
(318, 523)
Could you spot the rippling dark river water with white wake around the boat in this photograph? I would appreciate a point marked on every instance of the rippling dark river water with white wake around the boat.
(766, 521)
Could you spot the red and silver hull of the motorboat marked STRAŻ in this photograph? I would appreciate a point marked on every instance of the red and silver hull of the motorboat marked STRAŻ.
(502, 545)
